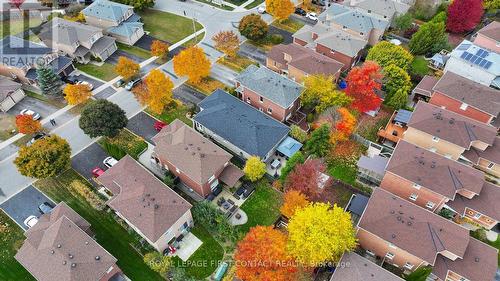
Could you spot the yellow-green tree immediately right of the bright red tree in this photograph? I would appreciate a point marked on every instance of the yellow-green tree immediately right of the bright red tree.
(397, 86)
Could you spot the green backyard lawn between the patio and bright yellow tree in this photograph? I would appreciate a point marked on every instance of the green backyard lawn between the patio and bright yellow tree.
(263, 206)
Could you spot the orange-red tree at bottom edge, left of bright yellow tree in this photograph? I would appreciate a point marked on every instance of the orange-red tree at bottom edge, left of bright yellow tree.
(261, 256)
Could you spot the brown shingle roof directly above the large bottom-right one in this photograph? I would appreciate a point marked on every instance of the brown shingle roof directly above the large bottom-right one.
(433, 171)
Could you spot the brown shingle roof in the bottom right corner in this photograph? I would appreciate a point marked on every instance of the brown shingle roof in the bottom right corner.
(479, 263)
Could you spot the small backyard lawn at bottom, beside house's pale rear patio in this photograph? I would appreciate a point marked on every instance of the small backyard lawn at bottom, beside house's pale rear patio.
(205, 260)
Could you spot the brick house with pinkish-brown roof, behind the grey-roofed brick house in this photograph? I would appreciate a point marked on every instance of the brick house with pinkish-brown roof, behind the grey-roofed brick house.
(298, 62)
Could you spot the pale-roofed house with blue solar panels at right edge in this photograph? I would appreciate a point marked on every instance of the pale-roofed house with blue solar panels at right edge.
(475, 63)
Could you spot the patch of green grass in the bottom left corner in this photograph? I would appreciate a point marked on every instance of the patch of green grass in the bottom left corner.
(11, 239)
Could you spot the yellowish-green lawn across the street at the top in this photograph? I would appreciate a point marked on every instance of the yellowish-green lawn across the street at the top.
(166, 26)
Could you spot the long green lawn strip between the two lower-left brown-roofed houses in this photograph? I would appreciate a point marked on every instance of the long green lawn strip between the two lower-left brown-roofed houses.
(108, 233)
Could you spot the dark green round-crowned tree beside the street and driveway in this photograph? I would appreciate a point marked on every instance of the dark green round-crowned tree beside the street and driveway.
(102, 118)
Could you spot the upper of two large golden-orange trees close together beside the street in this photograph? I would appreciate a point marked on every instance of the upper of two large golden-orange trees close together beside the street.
(193, 63)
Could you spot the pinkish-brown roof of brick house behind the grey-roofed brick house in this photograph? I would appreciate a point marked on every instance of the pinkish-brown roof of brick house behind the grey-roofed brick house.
(304, 59)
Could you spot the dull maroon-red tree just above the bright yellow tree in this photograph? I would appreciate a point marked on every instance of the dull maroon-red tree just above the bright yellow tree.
(307, 179)
